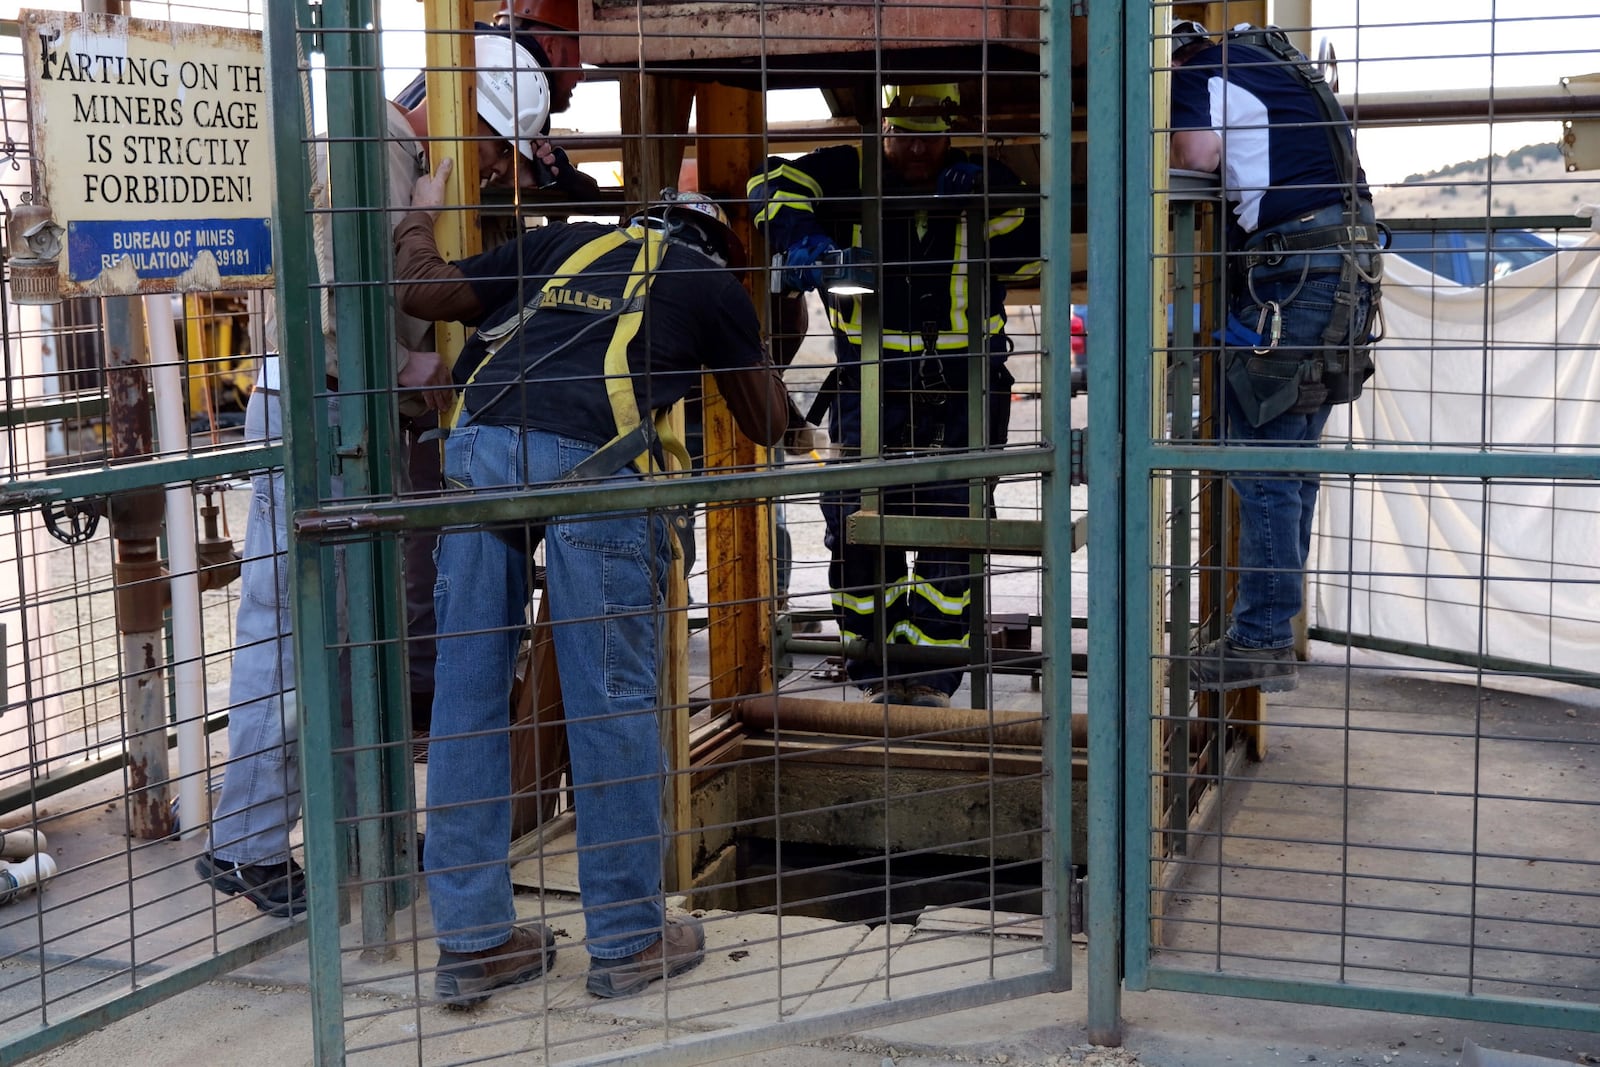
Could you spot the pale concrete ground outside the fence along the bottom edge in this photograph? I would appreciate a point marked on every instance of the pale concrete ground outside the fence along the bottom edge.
(263, 1015)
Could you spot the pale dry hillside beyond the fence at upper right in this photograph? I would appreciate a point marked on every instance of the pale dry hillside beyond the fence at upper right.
(1529, 182)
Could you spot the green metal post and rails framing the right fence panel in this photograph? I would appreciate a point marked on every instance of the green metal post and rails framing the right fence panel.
(1121, 679)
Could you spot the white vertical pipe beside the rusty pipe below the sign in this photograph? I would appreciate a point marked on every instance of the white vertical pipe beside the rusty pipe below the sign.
(183, 569)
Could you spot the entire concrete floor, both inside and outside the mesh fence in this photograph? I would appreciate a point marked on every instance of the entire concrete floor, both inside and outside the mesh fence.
(1409, 829)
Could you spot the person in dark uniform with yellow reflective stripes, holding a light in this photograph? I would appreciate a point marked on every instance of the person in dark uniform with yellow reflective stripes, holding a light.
(943, 215)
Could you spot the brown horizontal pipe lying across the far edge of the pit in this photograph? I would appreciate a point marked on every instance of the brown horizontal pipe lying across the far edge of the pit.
(857, 719)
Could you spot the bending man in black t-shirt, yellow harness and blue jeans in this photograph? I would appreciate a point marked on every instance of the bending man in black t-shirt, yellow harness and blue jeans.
(585, 334)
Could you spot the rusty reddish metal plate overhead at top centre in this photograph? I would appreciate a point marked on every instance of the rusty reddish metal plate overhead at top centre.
(649, 31)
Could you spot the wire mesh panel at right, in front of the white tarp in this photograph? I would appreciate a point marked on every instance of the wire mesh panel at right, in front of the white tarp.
(1370, 713)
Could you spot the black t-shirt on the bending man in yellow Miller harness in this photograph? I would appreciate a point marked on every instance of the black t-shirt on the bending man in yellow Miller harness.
(551, 374)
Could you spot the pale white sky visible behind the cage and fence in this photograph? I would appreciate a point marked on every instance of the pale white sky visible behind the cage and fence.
(1383, 47)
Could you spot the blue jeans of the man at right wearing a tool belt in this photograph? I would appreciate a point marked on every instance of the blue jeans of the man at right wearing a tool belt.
(1276, 511)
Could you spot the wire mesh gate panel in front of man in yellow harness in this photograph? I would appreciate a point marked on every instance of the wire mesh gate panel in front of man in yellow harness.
(745, 713)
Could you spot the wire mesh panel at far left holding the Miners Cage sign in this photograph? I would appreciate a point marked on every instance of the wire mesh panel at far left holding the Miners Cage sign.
(126, 505)
